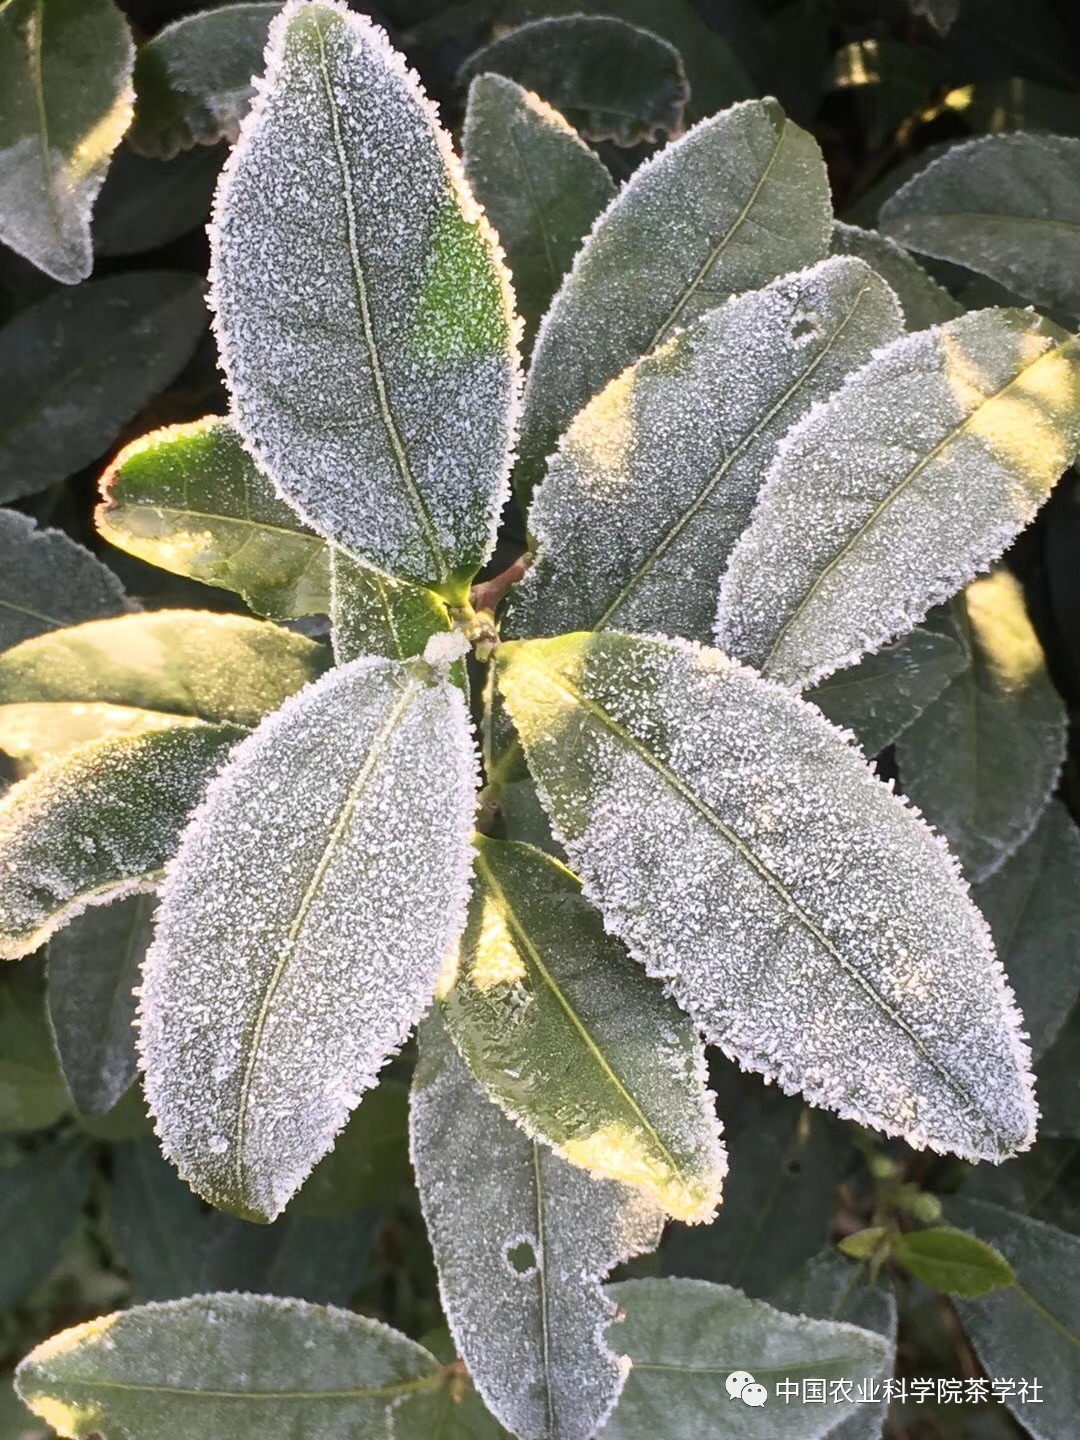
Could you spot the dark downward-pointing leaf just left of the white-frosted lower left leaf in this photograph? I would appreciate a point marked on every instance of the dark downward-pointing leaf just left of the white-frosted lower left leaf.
(94, 968)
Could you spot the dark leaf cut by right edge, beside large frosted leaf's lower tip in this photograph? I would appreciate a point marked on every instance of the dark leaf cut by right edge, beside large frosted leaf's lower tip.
(1033, 908)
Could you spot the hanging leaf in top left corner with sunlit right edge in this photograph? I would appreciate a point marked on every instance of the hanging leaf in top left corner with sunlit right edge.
(66, 80)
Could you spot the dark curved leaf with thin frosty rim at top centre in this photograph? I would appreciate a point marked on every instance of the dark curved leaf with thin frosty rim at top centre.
(611, 80)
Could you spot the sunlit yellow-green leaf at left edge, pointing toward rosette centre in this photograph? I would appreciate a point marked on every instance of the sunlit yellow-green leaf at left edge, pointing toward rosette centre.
(181, 663)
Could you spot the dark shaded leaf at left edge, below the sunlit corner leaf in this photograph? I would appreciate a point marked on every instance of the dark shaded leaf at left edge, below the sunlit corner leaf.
(76, 368)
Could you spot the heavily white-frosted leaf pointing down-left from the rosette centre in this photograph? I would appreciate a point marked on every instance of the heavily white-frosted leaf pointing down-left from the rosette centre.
(303, 927)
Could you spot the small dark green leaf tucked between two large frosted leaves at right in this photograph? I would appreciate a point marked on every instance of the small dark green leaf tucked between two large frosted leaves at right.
(881, 696)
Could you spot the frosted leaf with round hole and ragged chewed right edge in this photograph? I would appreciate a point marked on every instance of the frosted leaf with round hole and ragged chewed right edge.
(522, 1242)
